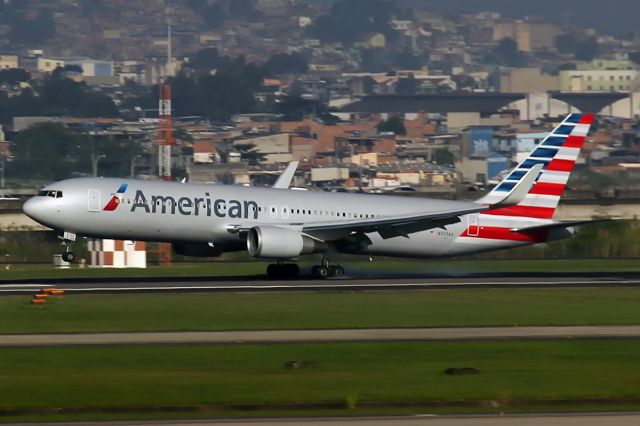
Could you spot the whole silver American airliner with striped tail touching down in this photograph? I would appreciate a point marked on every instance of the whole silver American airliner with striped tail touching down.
(282, 224)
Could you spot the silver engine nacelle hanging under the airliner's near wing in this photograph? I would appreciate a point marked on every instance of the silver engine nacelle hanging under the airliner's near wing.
(271, 242)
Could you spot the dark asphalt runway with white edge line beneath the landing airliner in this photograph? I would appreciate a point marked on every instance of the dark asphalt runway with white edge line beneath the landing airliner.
(259, 284)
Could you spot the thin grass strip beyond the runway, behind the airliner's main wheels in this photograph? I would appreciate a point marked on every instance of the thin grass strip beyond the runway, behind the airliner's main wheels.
(354, 268)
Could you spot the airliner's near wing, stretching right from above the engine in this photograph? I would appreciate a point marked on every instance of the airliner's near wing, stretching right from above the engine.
(390, 226)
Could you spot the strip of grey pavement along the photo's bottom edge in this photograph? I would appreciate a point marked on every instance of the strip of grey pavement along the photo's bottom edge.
(601, 419)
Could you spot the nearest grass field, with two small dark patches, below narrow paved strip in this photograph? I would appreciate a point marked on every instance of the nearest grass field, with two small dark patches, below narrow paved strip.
(213, 379)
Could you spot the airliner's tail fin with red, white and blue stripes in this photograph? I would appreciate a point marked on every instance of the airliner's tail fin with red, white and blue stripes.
(557, 153)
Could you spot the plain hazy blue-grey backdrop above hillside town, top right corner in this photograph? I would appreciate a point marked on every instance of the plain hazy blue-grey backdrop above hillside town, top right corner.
(614, 16)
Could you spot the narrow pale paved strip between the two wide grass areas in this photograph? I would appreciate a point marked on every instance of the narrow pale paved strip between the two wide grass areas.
(300, 336)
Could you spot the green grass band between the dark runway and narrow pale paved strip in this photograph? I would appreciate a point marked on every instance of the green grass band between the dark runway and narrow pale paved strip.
(224, 311)
